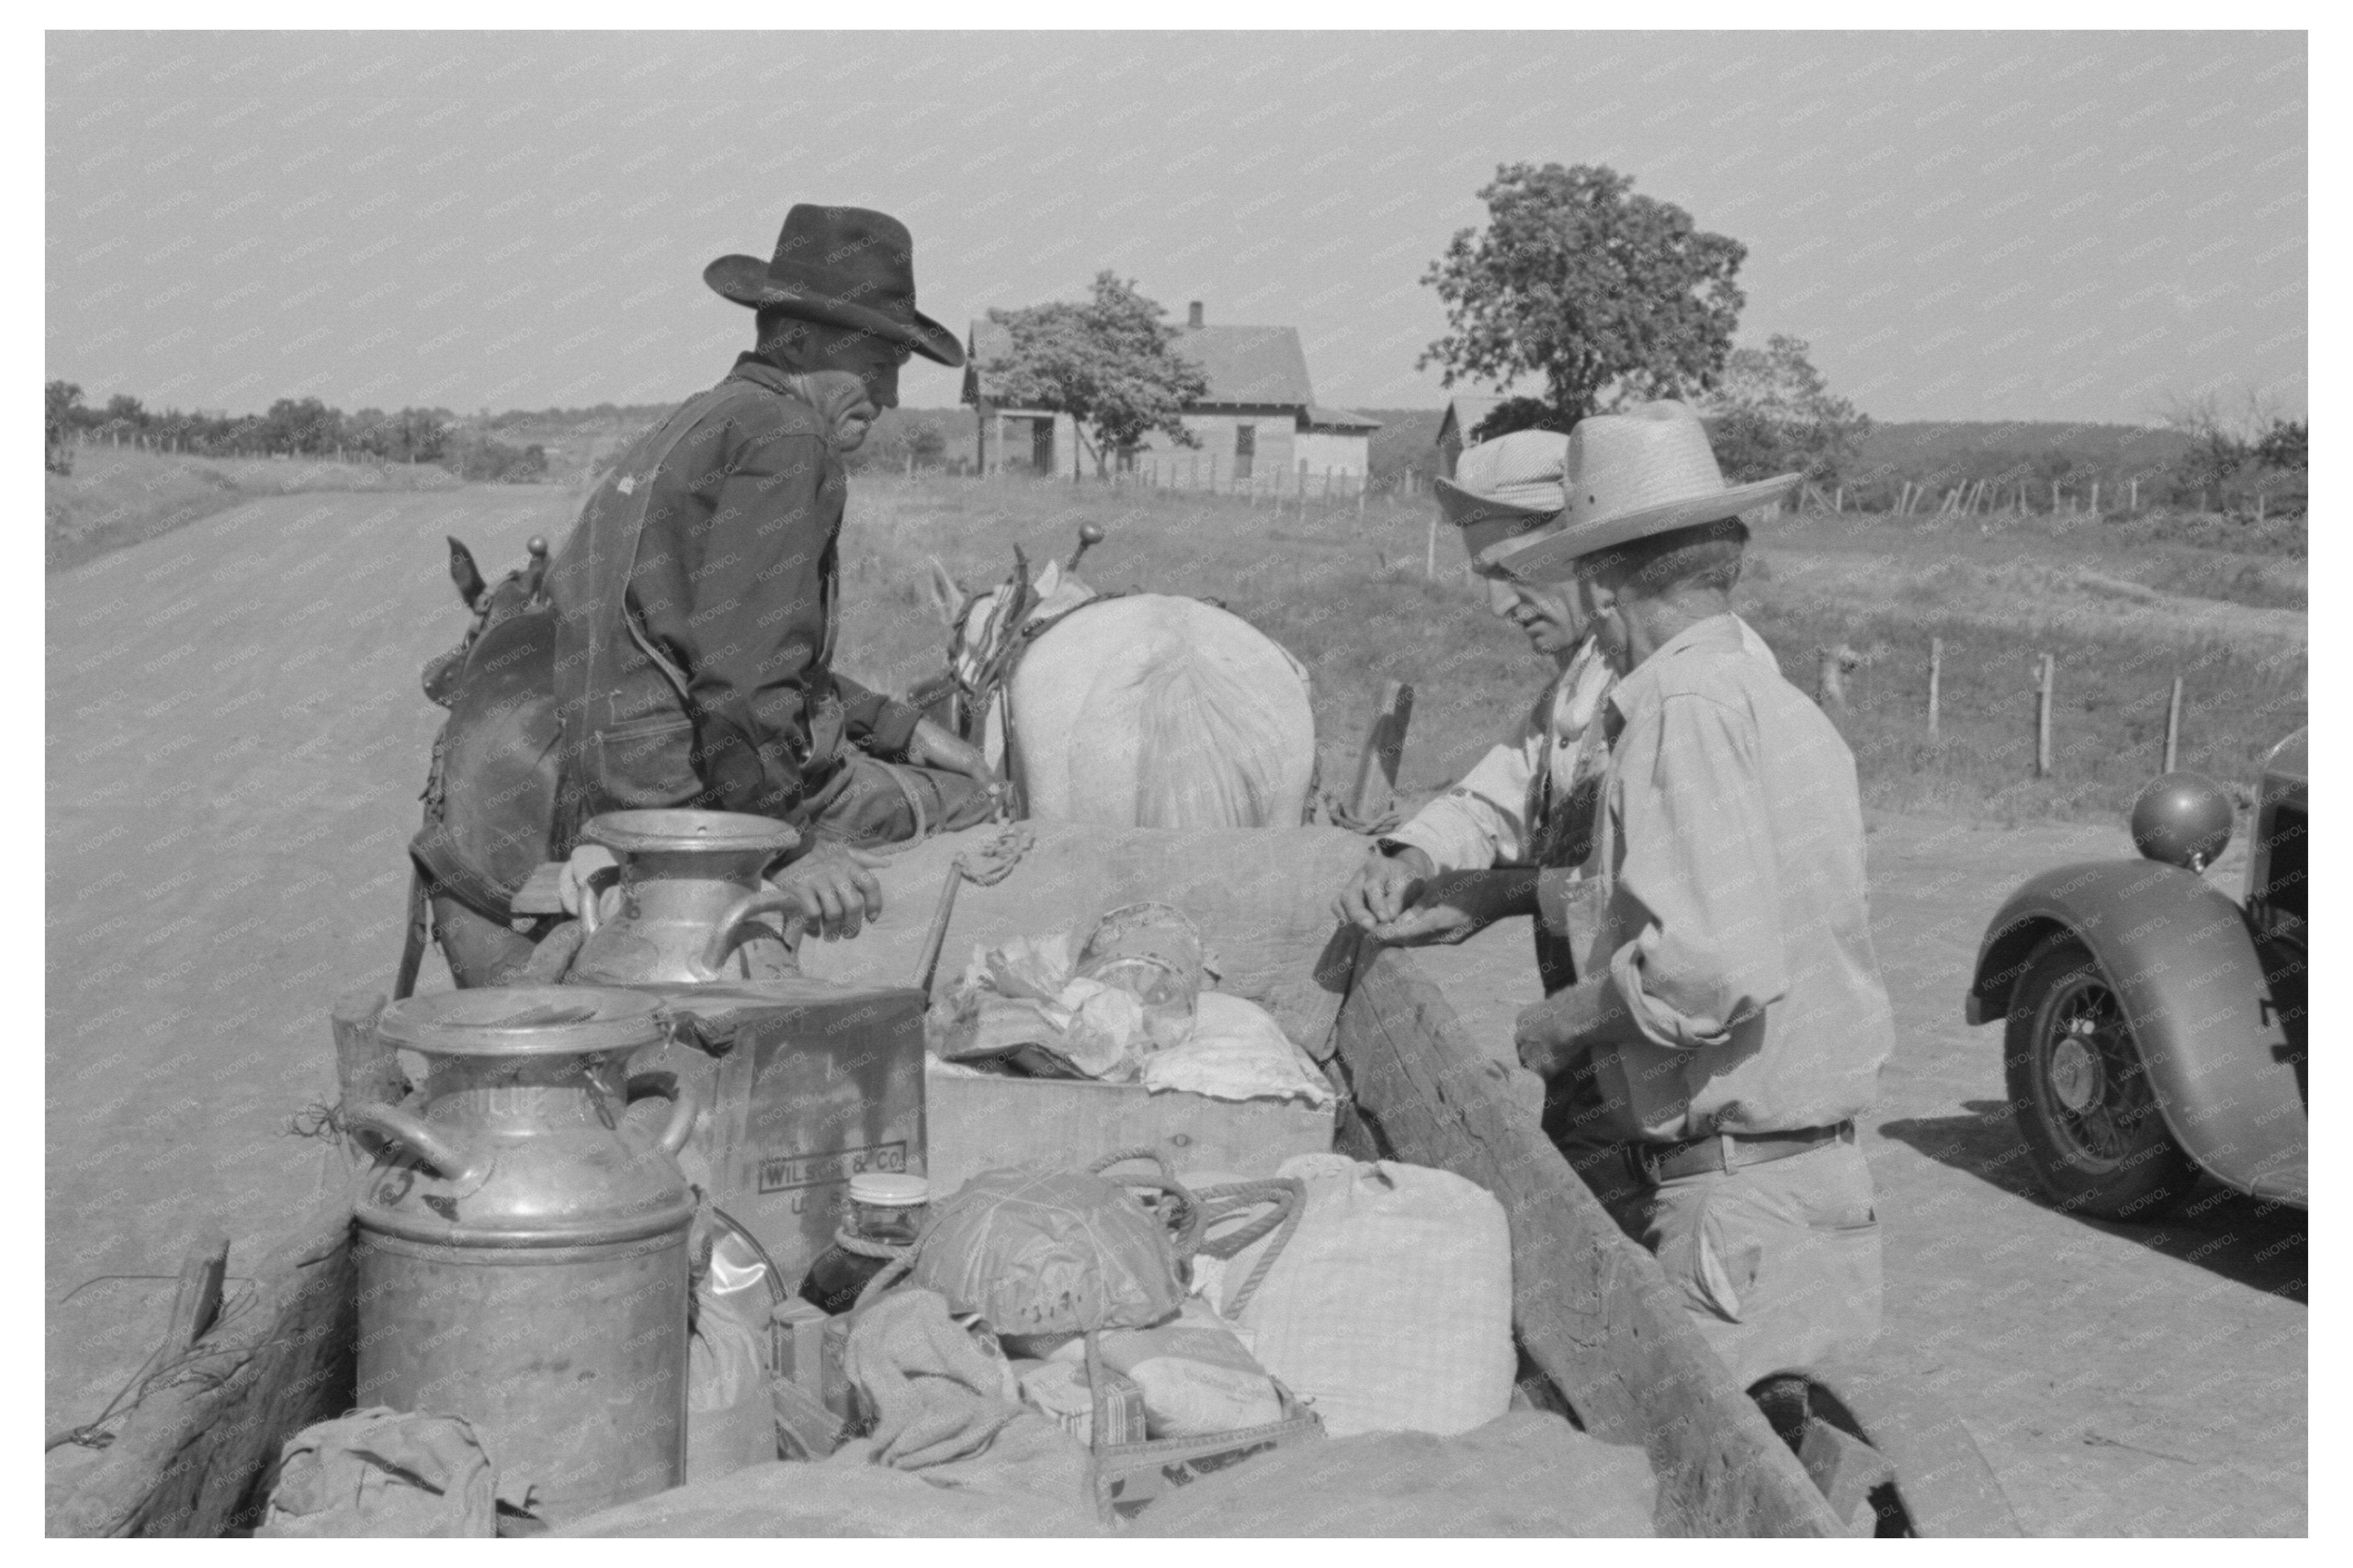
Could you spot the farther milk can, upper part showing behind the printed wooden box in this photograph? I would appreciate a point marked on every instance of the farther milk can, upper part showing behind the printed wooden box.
(693, 908)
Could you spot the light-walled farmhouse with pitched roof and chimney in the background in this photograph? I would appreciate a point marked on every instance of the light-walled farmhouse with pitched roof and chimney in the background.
(1258, 425)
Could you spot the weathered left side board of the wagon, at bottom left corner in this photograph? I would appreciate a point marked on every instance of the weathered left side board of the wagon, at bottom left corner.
(199, 1449)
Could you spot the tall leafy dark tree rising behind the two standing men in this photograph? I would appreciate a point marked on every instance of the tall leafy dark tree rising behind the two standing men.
(1608, 295)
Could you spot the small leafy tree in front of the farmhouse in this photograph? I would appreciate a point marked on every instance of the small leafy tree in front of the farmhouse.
(1109, 364)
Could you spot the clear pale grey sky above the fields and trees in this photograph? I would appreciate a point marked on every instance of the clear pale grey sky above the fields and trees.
(1961, 225)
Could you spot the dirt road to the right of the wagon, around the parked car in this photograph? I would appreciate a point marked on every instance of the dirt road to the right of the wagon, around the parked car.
(2121, 1381)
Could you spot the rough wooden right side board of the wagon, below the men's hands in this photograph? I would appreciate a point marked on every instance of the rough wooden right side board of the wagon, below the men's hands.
(1589, 1305)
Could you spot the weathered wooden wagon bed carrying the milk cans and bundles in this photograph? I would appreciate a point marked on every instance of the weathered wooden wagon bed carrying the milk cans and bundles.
(1599, 1327)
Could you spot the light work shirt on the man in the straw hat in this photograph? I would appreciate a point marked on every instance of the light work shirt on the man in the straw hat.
(1733, 912)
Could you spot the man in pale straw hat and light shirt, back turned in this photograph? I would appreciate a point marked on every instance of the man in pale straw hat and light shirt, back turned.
(1731, 1006)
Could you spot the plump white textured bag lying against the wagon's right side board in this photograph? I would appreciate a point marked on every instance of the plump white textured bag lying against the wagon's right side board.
(1392, 1305)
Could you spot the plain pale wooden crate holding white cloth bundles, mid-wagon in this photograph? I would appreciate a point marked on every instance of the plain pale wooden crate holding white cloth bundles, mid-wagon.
(985, 1124)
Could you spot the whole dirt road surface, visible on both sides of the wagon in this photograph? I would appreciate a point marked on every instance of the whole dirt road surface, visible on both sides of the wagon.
(234, 755)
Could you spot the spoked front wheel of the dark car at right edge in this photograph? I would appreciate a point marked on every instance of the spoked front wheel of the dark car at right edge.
(2081, 1094)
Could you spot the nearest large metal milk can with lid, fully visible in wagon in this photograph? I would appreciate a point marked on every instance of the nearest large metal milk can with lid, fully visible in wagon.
(524, 1249)
